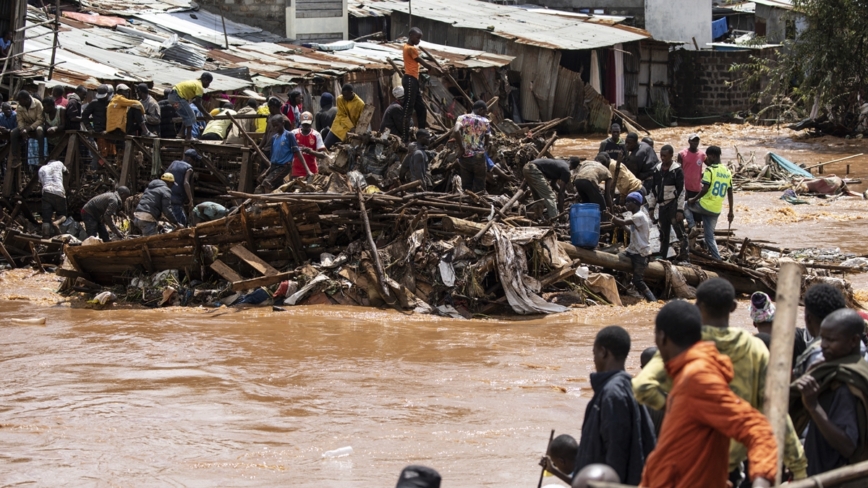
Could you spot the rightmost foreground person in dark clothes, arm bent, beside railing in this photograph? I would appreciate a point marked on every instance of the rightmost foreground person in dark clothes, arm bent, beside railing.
(830, 397)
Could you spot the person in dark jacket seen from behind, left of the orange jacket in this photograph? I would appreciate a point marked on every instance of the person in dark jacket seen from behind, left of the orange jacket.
(616, 430)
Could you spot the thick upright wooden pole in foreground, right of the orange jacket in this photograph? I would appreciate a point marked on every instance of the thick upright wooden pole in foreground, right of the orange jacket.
(777, 391)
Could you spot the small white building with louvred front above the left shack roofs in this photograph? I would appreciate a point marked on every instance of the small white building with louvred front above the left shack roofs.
(304, 24)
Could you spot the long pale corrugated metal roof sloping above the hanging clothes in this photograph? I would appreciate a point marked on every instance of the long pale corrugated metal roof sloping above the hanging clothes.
(522, 26)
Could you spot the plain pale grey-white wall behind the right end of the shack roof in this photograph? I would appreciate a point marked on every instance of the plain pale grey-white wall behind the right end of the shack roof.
(679, 20)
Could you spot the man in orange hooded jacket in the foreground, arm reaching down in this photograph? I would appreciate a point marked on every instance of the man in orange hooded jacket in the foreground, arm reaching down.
(702, 413)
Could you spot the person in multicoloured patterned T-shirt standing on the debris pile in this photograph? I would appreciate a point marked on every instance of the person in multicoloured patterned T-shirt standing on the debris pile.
(472, 133)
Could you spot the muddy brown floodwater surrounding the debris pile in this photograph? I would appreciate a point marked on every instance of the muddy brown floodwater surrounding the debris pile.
(195, 397)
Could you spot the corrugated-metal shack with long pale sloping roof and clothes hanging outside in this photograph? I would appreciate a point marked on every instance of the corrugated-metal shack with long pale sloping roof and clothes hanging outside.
(556, 54)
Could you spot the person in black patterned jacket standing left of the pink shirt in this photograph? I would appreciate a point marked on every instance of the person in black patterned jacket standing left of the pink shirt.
(667, 195)
